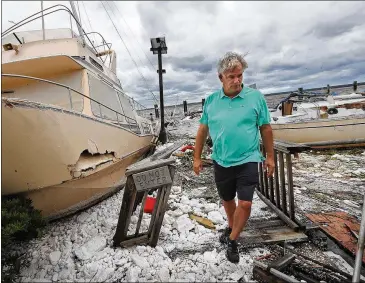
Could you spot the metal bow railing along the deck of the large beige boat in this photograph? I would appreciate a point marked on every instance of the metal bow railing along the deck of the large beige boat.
(132, 124)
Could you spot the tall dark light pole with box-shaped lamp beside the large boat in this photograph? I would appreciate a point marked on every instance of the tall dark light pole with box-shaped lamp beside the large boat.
(159, 47)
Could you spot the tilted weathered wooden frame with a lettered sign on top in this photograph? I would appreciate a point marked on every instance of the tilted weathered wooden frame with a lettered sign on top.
(141, 179)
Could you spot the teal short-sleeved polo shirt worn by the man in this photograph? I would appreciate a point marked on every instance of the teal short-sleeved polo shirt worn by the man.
(234, 125)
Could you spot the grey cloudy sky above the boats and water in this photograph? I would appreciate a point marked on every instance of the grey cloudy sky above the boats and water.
(289, 44)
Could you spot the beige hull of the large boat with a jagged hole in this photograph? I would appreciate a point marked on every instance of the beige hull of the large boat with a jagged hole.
(61, 159)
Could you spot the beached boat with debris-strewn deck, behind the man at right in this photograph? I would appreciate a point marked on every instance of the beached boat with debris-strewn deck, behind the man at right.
(320, 120)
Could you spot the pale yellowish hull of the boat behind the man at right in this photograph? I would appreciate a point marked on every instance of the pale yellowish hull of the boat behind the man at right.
(349, 129)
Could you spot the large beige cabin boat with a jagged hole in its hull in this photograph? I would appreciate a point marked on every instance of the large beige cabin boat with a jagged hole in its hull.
(68, 129)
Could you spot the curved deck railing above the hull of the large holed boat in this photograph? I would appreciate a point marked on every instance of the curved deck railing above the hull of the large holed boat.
(128, 123)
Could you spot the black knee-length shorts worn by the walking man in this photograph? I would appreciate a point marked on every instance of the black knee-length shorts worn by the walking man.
(241, 180)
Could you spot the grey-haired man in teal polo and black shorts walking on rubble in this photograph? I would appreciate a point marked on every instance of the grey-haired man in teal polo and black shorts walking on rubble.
(235, 116)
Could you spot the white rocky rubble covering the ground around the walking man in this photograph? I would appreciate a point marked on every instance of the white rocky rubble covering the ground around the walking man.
(79, 248)
